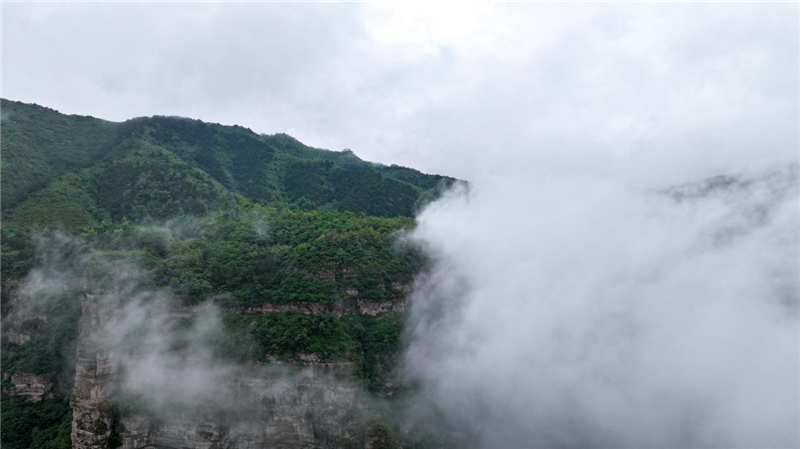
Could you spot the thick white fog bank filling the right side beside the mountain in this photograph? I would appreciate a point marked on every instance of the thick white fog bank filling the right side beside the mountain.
(578, 311)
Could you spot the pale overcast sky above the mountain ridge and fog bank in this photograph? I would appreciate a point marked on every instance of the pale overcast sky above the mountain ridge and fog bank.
(654, 93)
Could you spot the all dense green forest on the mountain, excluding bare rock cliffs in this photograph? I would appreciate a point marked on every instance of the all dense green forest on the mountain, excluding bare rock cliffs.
(211, 213)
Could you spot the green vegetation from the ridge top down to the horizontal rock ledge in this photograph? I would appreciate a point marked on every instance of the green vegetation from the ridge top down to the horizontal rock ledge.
(277, 221)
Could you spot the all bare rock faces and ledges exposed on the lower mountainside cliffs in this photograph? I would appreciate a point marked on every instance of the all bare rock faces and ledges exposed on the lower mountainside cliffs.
(308, 403)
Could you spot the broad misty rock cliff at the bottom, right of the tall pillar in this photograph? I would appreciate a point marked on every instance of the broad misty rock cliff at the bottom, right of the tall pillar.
(305, 408)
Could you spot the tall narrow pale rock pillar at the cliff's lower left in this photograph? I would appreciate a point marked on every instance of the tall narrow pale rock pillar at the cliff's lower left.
(95, 372)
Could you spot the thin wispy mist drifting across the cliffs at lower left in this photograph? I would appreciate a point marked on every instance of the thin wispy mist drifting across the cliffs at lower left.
(171, 361)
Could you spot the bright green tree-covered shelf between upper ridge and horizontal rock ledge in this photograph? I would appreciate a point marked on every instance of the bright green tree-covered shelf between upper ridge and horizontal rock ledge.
(255, 255)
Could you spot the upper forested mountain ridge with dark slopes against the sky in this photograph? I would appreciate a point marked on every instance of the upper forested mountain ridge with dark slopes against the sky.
(158, 167)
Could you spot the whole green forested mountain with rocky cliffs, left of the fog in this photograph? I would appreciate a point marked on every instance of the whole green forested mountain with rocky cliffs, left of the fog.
(298, 250)
